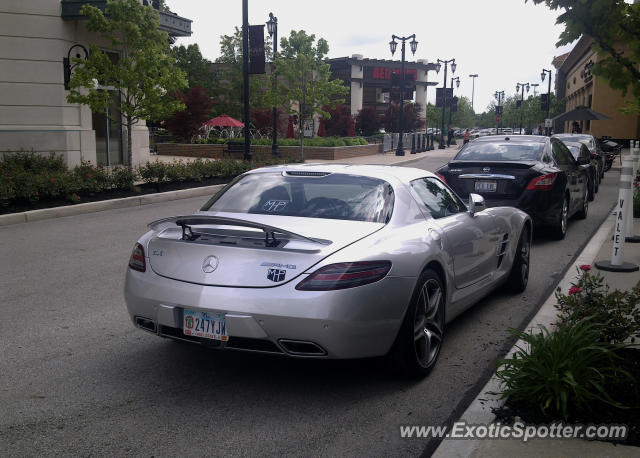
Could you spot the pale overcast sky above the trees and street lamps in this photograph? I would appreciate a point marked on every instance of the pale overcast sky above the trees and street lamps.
(503, 41)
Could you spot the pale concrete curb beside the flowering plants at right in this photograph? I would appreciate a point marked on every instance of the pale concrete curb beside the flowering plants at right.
(480, 409)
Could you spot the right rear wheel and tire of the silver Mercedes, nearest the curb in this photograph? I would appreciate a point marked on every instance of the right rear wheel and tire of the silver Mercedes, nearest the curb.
(420, 338)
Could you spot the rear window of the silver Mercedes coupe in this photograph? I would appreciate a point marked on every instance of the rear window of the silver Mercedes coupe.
(333, 196)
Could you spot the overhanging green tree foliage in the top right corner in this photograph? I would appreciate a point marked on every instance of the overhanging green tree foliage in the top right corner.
(614, 26)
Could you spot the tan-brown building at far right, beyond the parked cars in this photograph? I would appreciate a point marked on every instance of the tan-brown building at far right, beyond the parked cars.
(579, 87)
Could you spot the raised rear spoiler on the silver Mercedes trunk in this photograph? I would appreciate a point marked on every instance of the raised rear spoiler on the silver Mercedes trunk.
(186, 222)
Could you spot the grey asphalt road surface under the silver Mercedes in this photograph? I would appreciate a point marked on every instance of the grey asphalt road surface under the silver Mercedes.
(76, 378)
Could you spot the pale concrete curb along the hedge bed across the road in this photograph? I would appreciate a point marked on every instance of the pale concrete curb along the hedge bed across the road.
(90, 207)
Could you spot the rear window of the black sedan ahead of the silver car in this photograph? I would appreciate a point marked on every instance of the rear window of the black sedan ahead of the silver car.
(490, 151)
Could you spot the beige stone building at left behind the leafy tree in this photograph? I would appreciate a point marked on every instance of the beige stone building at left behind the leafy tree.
(35, 37)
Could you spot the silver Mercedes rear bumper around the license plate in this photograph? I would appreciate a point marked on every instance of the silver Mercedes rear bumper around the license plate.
(352, 323)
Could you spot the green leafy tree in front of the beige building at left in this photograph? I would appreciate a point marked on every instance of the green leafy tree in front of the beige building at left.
(143, 72)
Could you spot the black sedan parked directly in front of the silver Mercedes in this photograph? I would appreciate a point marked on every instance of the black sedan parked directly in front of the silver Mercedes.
(534, 173)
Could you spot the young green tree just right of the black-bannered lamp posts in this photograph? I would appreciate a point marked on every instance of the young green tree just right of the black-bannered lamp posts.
(306, 79)
